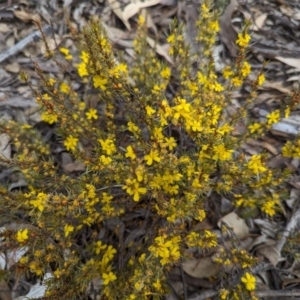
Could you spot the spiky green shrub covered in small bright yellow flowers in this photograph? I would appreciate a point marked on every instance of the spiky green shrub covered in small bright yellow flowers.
(151, 152)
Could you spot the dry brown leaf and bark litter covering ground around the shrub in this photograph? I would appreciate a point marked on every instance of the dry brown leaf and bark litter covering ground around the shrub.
(275, 38)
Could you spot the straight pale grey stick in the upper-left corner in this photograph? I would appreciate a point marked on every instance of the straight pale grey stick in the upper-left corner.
(33, 37)
